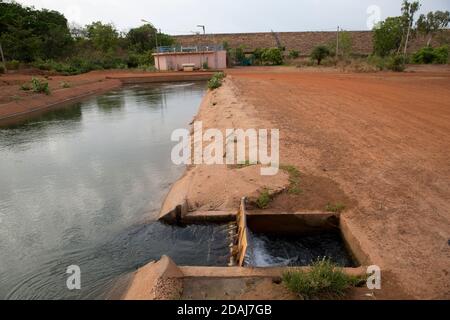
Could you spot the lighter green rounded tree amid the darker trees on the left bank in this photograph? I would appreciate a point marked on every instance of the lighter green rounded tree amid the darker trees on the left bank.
(104, 37)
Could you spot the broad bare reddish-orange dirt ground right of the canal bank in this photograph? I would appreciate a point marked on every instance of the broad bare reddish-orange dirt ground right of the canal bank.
(378, 143)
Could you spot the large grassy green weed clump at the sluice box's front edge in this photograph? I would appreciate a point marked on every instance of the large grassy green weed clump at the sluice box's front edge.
(324, 280)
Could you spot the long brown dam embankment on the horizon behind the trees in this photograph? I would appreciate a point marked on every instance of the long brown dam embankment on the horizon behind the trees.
(302, 41)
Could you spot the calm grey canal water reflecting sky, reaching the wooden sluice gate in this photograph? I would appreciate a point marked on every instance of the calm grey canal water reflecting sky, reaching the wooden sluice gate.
(82, 186)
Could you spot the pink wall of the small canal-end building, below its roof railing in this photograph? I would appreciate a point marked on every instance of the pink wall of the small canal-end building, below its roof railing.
(174, 61)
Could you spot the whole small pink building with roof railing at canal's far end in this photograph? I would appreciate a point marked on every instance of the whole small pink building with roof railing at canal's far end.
(175, 59)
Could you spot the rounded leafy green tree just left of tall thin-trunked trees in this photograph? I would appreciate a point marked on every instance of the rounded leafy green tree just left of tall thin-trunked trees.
(387, 36)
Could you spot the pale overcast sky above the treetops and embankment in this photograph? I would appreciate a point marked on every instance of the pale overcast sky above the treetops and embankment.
(182, 16)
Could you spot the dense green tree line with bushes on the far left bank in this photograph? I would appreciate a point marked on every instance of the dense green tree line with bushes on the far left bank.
(44, 38)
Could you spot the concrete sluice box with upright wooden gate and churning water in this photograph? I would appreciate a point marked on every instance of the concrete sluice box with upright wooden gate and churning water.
(251, 235)
